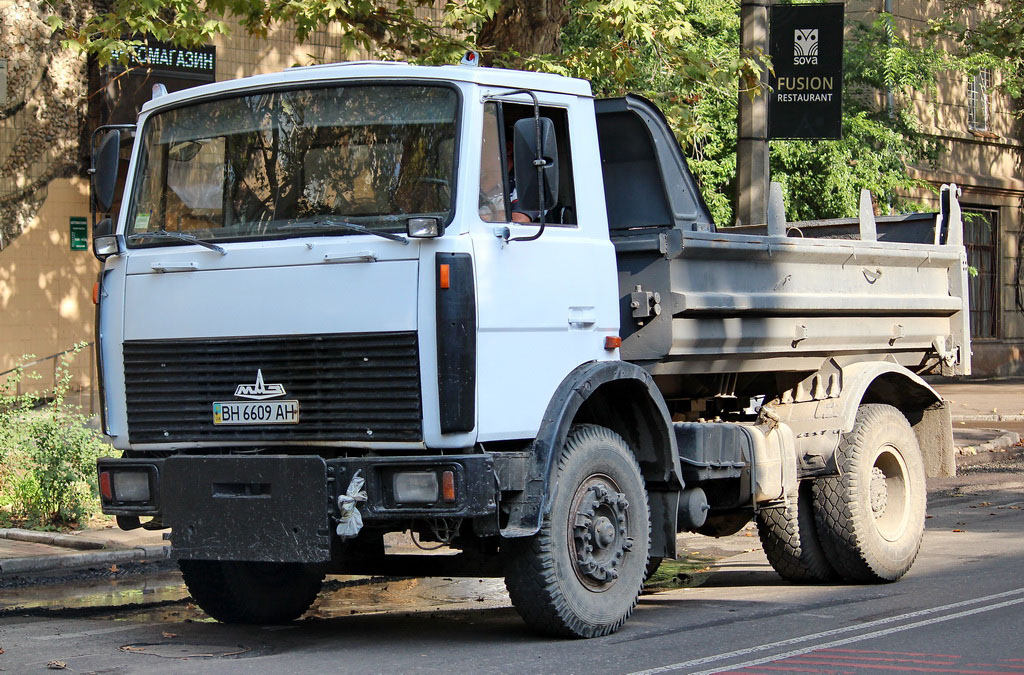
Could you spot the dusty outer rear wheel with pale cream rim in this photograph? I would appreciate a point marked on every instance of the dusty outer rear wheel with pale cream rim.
(871, 519)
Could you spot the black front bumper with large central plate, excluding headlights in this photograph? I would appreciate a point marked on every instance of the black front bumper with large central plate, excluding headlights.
(283, 509)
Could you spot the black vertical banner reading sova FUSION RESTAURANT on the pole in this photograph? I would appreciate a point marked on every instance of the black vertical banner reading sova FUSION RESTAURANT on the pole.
(806, 49)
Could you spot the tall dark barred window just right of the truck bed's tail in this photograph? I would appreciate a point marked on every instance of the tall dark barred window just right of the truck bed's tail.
(980, 238)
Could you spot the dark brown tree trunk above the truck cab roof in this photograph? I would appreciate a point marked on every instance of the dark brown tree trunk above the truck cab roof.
(527, 27)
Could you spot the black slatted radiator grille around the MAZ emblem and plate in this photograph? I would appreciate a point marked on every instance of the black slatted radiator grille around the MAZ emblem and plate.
(350, 388)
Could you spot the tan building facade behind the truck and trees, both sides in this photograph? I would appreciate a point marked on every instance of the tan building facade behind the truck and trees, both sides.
(51, 99)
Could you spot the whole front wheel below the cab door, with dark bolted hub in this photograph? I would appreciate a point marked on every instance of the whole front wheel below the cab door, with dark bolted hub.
(582, 574)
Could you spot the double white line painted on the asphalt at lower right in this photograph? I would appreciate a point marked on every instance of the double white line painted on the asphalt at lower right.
(839, 631)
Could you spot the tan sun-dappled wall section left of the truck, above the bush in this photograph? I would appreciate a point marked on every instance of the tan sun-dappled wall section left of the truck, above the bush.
(47, 288)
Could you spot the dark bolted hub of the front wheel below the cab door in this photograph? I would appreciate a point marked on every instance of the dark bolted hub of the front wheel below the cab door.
(601, 534)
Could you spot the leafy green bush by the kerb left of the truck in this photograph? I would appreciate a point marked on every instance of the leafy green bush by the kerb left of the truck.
(48, 454)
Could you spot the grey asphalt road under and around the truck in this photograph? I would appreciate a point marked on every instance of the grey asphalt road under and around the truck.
(961, 610)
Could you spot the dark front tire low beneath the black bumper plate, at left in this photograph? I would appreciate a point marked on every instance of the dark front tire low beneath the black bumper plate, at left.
(236, 593)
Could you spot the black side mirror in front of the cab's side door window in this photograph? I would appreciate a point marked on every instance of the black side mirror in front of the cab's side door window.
(526, 149)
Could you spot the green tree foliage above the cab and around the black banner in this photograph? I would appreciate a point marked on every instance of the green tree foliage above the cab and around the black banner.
(684, 55)
